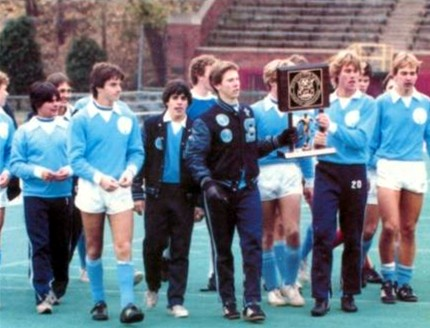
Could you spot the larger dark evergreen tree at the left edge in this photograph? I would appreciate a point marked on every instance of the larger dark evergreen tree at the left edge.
(20, 55)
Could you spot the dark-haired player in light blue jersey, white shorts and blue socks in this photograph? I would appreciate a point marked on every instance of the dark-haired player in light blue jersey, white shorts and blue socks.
(105, 150)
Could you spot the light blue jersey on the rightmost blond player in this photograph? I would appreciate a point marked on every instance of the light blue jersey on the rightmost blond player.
(401, 129)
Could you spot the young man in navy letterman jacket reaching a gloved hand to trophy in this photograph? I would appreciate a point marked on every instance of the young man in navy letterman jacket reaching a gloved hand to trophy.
(222, 155)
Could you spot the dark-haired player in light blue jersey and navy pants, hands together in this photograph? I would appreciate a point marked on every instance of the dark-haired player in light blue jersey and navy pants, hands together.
(39, 158)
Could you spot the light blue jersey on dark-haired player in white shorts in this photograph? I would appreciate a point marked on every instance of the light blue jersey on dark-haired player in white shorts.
(104, 147)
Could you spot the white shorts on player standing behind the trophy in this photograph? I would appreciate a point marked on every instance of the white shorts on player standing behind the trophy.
(277, 181)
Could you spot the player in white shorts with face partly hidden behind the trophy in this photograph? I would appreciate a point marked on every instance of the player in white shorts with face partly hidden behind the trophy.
(281, 189)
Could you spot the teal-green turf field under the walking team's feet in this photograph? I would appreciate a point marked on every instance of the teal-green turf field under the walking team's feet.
(18, 309)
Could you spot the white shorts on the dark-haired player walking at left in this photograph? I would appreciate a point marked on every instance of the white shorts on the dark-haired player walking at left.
(91, 198)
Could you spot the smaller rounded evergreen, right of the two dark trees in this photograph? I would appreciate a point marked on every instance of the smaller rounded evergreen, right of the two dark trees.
(83, 54)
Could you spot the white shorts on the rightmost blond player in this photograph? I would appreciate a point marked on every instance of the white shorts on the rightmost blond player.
(397, 175)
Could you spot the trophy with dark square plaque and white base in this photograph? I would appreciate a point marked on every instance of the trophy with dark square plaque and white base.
(301, 88)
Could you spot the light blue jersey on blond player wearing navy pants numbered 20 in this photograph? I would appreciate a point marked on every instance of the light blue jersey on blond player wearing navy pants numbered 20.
(351, 128)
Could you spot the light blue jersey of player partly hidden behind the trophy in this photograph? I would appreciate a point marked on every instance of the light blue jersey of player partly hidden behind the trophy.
(271, 122)
